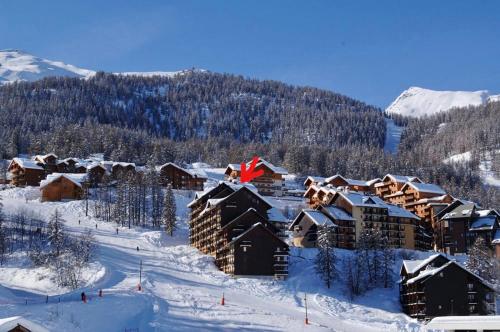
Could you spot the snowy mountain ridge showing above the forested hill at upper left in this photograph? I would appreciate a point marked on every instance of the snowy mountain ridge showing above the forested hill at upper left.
(16, 65)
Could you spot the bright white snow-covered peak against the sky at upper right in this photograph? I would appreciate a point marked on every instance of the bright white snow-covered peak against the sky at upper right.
(417, 102)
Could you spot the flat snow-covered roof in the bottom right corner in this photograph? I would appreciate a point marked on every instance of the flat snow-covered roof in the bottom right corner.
(462, 323)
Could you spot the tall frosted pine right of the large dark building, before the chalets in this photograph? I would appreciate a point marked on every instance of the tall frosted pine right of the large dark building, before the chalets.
(325, 260)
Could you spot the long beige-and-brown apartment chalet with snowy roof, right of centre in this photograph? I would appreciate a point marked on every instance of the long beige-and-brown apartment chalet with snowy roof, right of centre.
(371, 212)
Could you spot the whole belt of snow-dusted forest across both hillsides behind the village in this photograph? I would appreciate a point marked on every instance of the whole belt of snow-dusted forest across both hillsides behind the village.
(221, 119)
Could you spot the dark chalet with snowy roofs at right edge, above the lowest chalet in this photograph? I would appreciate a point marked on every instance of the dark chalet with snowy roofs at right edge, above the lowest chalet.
(461, 223)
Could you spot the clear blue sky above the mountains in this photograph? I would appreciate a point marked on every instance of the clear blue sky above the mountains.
(370, 50)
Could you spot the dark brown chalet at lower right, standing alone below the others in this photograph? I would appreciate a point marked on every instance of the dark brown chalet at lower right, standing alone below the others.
(437, 286)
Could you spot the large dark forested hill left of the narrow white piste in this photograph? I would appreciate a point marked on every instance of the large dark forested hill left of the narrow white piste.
(195, 105)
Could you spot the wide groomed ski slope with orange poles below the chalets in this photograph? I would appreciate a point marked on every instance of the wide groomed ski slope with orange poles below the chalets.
(182, 289)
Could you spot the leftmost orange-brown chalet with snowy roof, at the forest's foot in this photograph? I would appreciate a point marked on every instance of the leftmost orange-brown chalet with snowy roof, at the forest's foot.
(26, 172)
